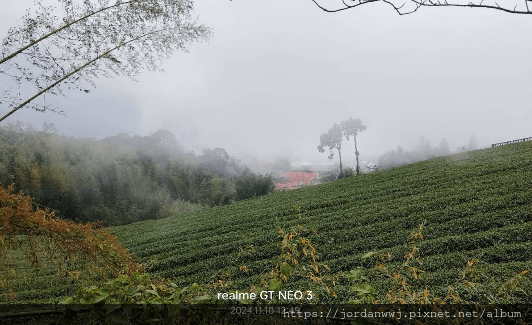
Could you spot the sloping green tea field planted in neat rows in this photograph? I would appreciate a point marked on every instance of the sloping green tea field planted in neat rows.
(477, 207)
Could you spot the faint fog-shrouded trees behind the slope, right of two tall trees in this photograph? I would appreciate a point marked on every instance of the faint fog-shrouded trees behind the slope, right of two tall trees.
(422, 151)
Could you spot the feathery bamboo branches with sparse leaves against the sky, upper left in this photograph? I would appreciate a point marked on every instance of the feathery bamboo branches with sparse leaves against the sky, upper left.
(51, 54)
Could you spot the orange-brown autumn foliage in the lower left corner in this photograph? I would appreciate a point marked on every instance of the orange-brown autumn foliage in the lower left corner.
(63, 247)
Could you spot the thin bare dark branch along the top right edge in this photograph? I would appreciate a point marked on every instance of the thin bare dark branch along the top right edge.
(404, 7)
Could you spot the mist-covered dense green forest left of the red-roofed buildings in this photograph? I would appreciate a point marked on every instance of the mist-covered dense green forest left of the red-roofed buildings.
(120, 179)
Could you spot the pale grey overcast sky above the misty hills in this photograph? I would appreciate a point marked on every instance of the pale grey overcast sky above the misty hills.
(276, 74)
